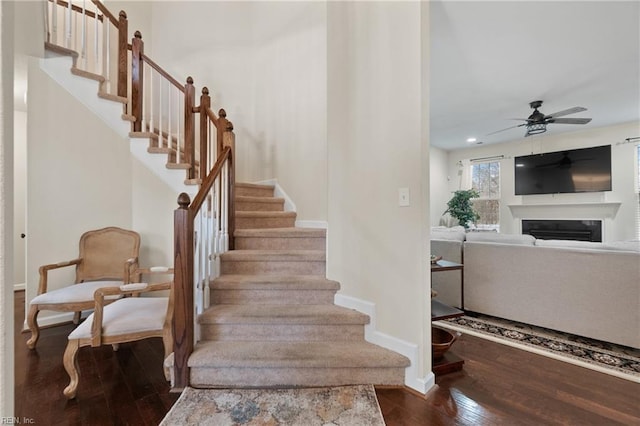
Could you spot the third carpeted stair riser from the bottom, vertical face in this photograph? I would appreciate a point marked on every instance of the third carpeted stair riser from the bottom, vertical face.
(272, 297)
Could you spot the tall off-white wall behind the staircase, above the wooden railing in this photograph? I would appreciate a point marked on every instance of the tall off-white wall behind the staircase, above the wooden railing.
(265, 64)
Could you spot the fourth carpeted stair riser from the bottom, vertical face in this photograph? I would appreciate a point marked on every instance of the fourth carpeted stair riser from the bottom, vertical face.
(273, 268)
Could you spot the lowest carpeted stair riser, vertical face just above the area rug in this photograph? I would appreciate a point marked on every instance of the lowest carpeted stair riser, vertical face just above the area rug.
(232, 377)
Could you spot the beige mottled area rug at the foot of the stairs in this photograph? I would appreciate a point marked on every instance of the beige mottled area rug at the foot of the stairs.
(343, 405)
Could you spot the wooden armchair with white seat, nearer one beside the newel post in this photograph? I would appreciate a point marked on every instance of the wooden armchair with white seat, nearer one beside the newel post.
(126, 319)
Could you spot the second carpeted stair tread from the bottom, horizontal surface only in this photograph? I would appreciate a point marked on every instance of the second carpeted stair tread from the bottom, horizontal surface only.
(282, 315)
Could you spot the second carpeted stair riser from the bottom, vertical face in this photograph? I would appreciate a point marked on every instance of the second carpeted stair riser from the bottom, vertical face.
(282, 332)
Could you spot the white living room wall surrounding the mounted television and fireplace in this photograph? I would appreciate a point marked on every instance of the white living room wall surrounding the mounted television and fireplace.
(619, 227)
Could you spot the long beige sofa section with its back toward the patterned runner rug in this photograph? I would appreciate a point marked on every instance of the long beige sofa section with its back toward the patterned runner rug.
(587, 289)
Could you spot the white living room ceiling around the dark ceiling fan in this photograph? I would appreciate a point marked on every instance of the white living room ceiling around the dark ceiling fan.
(490, 59)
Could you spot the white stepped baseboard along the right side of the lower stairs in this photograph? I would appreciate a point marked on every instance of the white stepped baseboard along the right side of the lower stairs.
(410, 350)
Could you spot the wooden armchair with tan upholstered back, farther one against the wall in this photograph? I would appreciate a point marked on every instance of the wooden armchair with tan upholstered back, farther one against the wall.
(107, 258)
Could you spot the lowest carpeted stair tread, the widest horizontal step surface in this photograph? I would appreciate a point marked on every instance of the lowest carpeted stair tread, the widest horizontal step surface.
(277, 354)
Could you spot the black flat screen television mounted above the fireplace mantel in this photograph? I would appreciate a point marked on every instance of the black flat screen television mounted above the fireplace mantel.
(575, 170)
